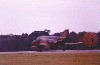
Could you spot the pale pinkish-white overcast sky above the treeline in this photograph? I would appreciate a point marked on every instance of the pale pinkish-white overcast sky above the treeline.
(26, 16)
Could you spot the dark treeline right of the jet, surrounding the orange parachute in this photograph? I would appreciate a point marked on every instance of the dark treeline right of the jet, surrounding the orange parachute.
(78, 38)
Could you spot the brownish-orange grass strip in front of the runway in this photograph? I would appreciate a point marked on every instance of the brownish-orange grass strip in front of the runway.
(51, 59)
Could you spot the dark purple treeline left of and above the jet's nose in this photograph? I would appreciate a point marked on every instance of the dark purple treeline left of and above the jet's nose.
(19, 42)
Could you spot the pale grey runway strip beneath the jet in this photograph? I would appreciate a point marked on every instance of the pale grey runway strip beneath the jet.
(53, 51)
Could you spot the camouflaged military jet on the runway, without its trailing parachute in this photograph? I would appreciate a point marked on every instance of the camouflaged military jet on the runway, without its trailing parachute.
(50, 42)
